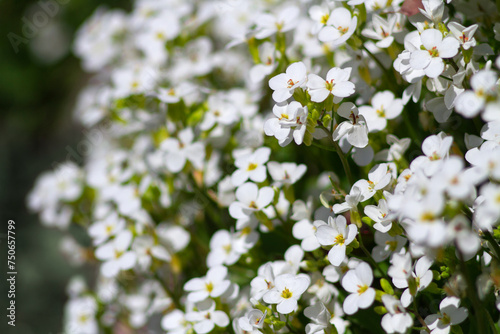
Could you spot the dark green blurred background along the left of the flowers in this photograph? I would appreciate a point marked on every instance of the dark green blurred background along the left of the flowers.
(39, 82)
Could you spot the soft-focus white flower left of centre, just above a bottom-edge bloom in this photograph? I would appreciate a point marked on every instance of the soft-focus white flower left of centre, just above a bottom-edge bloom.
(214, 284)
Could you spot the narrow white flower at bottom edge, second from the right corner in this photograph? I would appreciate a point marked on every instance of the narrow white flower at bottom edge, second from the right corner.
(397, 320)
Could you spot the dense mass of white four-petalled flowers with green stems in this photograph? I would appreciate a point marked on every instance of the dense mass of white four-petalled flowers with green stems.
(285, 167)
